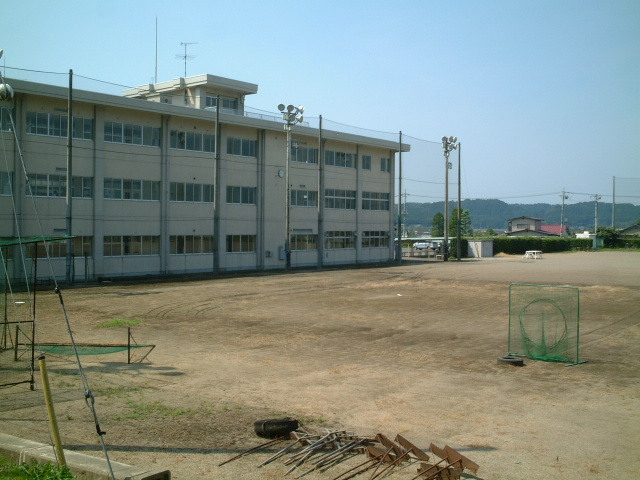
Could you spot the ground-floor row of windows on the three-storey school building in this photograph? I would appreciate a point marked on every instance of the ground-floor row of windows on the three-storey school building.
(125, 245)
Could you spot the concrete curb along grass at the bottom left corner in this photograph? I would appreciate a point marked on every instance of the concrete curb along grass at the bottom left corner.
(83, 466)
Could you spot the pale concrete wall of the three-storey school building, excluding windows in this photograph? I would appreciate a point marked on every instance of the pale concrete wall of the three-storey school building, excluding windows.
(99, 217)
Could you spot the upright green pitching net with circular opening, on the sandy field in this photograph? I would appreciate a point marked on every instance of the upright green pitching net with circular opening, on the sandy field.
(544, 322)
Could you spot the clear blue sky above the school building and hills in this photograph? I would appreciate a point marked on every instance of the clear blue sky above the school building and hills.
(543, 95)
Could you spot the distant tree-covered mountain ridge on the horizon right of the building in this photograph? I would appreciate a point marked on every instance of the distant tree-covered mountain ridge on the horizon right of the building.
(496, 213)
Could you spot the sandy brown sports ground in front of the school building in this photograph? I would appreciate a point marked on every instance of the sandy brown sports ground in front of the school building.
(408, 349)
